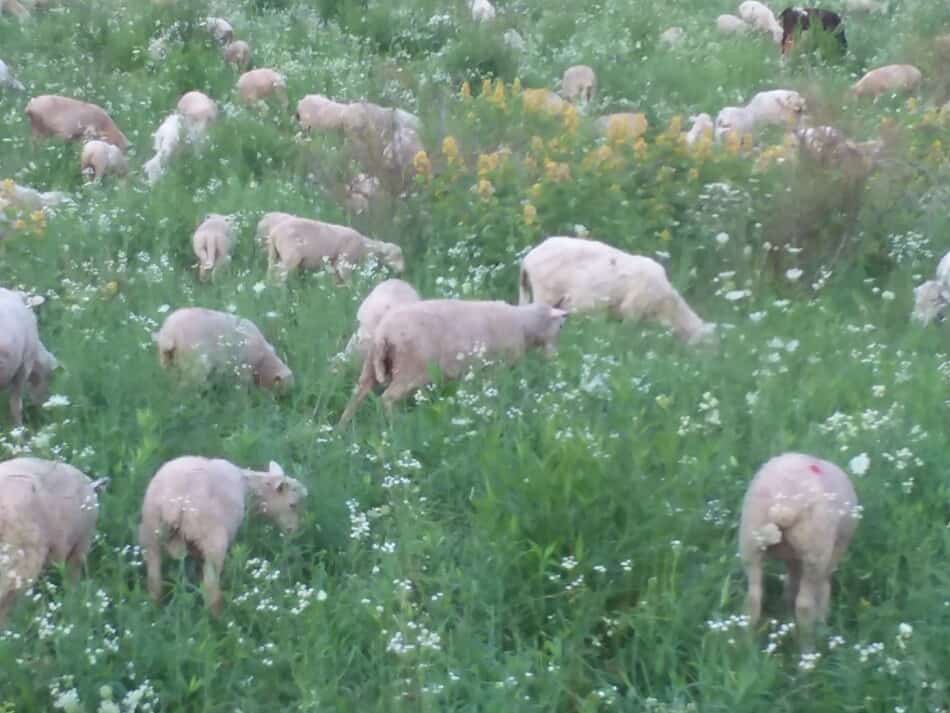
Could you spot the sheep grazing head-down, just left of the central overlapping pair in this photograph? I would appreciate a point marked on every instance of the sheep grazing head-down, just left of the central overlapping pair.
(200, 341)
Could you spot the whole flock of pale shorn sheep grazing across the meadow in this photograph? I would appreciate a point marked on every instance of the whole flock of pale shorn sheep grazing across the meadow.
(798, 508)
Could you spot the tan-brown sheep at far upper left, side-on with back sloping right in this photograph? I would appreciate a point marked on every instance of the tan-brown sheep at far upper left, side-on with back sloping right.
(72, 120)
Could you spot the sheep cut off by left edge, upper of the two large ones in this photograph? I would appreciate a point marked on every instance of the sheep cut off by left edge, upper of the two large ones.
(24, 361)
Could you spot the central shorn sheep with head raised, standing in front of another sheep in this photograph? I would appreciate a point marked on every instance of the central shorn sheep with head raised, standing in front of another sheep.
(452, 335)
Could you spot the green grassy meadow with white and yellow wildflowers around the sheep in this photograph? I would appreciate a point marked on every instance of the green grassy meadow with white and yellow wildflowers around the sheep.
(560, 536)
